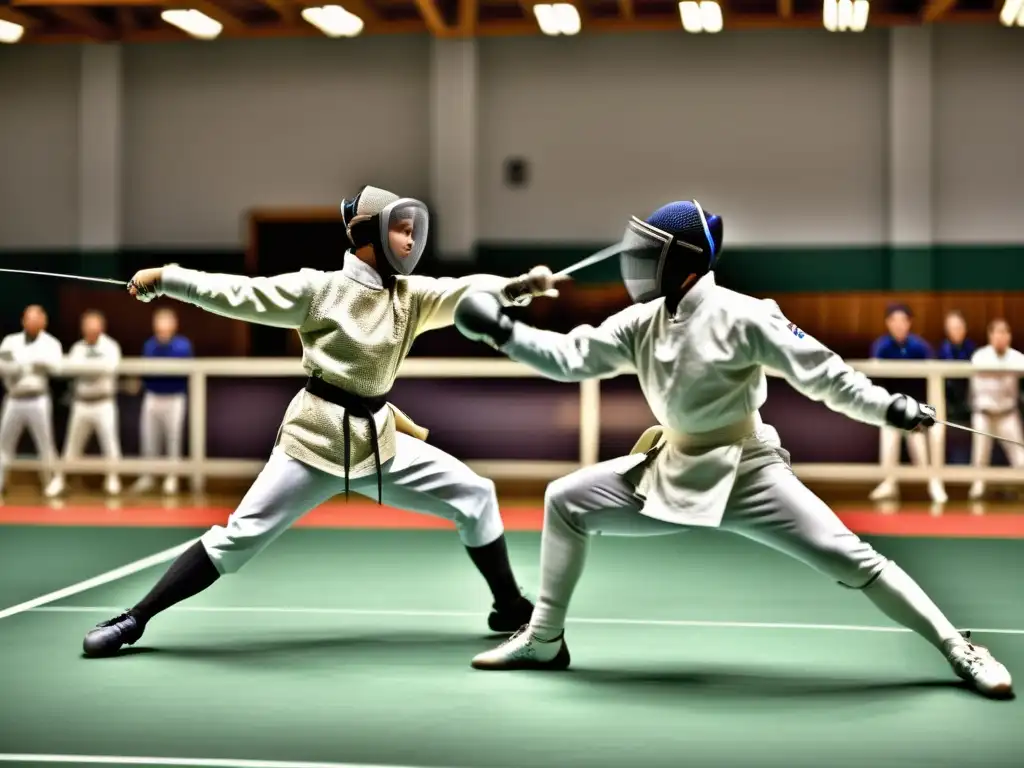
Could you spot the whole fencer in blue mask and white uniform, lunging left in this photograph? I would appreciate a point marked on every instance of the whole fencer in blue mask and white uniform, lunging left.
(700, 352)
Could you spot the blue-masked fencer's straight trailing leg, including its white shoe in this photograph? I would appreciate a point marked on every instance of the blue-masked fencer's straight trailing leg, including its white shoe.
(774, 507)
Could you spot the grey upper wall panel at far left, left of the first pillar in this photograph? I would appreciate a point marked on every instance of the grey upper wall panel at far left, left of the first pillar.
(38, 146)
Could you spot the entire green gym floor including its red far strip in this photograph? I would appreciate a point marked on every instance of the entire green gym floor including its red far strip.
(349, 642)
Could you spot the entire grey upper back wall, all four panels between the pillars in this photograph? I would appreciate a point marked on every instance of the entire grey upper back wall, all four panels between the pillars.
(786, 134)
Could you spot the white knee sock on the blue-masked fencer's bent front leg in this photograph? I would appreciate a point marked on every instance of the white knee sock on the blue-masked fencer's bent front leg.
(564, 553)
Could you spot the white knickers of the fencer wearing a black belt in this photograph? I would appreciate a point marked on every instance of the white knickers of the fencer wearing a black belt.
(419, 479)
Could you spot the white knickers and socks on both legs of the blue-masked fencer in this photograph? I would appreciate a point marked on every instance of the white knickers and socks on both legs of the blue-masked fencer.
(769, 505)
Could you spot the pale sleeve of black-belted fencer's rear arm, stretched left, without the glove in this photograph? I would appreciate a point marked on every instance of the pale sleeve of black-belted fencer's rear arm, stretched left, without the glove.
(282, 302)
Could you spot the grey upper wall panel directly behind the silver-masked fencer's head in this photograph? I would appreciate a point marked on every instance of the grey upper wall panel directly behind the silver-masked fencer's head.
(214, 131)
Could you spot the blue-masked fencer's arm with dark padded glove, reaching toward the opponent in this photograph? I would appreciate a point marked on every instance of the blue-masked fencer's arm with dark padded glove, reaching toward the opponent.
(585, 353)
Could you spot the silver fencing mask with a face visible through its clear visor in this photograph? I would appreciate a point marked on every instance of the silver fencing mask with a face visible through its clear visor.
(397, 228)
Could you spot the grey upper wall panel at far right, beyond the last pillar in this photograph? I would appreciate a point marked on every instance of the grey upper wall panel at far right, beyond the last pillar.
(979, 135)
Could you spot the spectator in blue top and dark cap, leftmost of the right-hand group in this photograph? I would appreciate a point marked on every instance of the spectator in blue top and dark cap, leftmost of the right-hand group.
(901, 345)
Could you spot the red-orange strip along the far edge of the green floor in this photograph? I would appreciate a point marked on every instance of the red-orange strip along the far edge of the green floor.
(954, 524)
